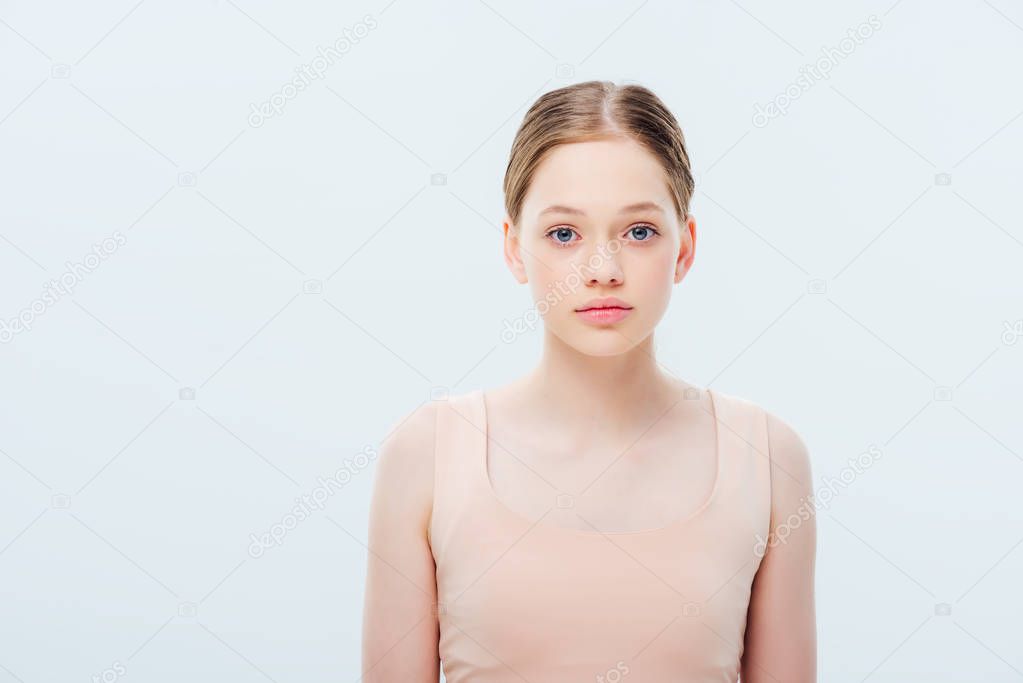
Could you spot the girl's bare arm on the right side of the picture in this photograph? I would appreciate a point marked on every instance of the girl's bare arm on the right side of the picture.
(781, 633)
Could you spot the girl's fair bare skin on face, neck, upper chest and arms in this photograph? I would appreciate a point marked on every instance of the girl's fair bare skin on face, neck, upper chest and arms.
(595, 391)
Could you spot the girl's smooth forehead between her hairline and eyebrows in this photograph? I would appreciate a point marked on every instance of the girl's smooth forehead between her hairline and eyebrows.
(599, 176)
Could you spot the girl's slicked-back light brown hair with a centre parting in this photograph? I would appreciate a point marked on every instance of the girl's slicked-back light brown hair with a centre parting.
(593, 111)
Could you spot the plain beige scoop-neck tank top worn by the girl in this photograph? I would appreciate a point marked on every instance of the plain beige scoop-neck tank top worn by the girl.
(520, 601)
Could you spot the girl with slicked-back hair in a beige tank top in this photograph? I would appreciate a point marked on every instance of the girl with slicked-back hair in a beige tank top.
(598, 520)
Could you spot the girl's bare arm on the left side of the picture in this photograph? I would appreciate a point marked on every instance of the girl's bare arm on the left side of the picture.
(399, 625)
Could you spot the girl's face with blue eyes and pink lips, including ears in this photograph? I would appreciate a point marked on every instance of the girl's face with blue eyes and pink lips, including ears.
(598, 222)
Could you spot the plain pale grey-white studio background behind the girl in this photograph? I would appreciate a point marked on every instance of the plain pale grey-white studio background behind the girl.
(287, 292)
